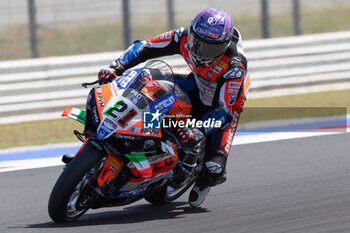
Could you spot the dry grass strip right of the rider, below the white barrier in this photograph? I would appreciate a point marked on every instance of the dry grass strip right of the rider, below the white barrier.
(297, 106)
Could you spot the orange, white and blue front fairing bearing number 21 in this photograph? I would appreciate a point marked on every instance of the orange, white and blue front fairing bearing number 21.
(125, 103)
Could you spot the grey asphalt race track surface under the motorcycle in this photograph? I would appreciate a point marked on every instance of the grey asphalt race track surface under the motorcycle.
(298, 185)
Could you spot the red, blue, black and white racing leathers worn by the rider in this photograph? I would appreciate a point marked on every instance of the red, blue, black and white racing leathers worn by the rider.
(219, 92)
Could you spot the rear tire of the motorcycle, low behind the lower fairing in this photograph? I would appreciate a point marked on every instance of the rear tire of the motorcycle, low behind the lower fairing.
(167, 194)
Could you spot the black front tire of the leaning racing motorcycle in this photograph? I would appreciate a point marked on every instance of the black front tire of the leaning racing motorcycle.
(71, 181)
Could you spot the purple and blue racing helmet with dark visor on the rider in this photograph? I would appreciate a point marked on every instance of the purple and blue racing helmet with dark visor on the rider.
(209, 36)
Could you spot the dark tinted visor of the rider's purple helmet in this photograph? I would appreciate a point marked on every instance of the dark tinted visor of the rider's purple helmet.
(204, 51)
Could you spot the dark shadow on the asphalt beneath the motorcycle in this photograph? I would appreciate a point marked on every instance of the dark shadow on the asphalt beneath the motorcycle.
(128, 215)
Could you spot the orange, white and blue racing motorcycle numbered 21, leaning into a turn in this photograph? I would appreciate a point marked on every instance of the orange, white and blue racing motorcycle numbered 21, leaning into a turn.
(127, 154)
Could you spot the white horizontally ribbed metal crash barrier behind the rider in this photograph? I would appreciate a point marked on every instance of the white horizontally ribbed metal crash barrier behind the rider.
(38, 89)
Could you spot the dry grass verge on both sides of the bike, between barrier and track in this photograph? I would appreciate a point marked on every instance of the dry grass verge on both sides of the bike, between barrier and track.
(57, 131)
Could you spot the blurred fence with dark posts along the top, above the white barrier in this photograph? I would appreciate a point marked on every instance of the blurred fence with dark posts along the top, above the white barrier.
(33, 28)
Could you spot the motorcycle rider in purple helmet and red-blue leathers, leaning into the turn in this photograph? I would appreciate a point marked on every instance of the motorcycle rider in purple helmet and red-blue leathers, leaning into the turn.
(212, 48)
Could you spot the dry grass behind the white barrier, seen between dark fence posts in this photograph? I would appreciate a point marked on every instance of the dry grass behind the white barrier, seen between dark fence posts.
(91, 38)
